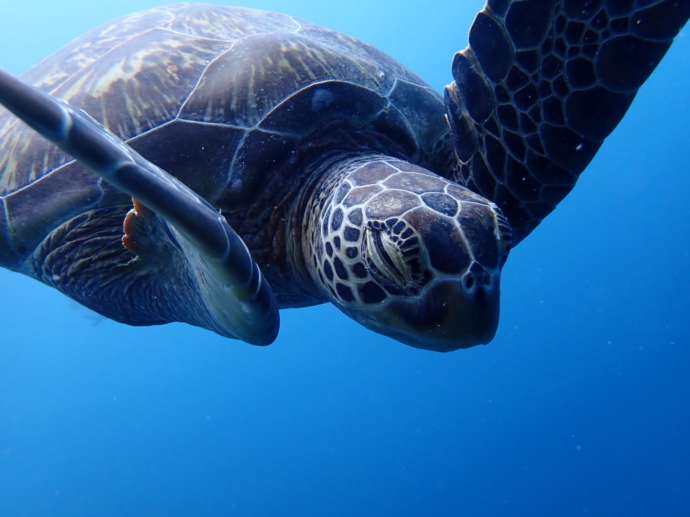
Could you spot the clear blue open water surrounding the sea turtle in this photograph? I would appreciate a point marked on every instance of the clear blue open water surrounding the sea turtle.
(579, 407)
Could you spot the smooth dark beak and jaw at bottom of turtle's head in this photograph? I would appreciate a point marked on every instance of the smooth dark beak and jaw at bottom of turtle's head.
(447, 316)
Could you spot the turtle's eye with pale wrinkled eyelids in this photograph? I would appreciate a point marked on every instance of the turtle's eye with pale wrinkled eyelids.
(387, 262)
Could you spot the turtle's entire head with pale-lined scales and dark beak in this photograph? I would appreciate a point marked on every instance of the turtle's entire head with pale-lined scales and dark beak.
(409, 254)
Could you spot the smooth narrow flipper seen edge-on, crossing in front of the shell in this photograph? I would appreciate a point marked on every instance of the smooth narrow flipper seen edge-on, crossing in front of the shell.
(239, 300)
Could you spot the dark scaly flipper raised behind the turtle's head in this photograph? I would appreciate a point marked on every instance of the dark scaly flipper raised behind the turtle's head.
(541, 86)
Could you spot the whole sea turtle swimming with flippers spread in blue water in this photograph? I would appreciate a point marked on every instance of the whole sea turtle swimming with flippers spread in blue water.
(182, 133)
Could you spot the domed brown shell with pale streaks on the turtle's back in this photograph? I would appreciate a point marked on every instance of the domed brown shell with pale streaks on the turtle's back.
(219, 97)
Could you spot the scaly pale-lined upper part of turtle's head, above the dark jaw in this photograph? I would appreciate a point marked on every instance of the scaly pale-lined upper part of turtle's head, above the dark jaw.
(385, 232)
